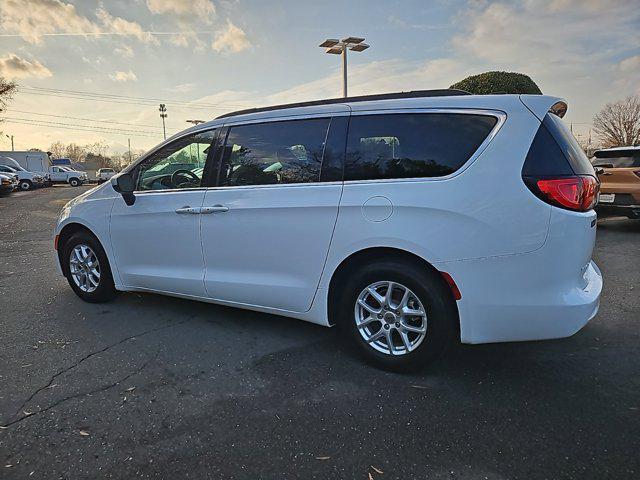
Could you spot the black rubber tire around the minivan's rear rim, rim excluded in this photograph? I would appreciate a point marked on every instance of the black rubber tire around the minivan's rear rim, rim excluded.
(431, 291)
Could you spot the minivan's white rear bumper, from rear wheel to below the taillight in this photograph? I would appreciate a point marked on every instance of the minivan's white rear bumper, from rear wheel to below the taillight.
(550, 293)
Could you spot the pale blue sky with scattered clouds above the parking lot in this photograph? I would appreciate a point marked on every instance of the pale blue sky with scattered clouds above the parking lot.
(96, 70)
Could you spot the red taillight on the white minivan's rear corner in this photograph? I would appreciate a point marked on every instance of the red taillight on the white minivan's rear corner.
(575, 193)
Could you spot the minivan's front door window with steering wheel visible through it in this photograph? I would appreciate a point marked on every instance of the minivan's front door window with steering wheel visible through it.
(177, 165)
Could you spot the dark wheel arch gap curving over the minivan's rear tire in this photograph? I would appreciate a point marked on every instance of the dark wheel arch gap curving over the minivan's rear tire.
(361, 257)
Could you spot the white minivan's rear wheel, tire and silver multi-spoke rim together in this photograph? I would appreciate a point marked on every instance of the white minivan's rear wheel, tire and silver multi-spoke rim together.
(399, 315)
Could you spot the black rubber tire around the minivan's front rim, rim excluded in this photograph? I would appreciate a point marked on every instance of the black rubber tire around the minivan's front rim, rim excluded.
(105, 290)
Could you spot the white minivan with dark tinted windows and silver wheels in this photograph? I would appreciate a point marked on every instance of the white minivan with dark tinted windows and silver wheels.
(410, 220)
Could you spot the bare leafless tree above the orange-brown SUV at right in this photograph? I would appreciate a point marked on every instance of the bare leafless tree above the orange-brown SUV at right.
(618, 124)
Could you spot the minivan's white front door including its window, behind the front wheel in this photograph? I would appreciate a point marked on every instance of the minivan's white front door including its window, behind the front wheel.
(156, 241)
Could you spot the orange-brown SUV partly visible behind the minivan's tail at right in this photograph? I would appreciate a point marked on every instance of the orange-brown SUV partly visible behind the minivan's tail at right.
(620, 176)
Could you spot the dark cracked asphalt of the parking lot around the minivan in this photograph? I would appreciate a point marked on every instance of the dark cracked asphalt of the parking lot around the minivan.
(155, 387)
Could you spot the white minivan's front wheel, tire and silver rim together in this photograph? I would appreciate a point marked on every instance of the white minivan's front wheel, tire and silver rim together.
(87, 269)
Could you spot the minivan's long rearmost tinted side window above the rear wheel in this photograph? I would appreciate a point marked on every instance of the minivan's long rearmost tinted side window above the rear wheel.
(410, 145)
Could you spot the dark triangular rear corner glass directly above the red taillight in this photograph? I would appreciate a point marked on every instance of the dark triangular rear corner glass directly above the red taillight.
(555, 151)
